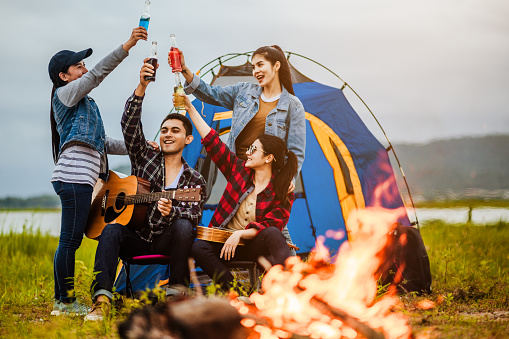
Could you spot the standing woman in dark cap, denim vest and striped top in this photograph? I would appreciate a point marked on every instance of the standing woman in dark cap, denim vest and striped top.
(79, 147)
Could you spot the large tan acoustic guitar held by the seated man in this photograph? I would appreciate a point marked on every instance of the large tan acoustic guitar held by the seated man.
(125, 201)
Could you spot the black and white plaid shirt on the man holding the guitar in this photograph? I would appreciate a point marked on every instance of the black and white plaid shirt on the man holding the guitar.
(148, 164)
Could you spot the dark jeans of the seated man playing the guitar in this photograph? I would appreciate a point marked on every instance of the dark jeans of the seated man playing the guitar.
(118, 241)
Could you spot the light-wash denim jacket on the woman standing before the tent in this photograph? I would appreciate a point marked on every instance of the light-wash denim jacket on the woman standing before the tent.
(287, 121)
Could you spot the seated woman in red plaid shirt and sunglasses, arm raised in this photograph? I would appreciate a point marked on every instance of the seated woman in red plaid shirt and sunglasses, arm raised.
(255, 204)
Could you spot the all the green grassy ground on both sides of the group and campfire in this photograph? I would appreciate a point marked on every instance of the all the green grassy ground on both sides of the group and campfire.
(470, 267)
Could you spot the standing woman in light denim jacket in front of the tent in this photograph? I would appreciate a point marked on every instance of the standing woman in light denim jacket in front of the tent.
(269, 107)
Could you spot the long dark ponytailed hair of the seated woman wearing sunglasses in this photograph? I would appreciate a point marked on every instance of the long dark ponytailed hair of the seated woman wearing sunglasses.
(284, 164)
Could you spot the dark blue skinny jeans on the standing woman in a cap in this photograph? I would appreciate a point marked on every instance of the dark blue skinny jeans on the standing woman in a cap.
(75, 200)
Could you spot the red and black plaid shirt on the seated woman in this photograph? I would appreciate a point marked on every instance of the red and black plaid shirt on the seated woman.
(270, 211)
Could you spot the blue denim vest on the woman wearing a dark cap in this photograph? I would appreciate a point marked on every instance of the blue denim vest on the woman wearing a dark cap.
(81, 122)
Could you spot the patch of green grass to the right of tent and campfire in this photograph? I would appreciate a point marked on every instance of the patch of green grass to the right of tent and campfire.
(470, 268)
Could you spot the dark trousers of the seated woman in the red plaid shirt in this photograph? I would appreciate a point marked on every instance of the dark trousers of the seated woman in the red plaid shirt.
(269, 243)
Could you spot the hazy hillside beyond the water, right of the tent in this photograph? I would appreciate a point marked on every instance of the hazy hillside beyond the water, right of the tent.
(457, 168)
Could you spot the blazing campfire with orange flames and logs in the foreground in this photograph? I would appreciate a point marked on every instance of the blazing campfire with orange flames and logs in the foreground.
(321, 297)
